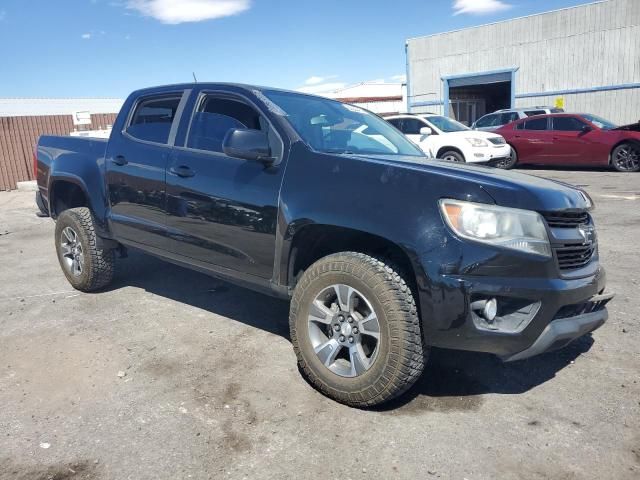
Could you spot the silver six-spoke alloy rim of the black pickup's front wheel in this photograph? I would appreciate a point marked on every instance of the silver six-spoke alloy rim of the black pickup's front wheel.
(344, 330)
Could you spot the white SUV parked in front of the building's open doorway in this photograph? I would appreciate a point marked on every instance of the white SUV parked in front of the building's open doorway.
(444, 138)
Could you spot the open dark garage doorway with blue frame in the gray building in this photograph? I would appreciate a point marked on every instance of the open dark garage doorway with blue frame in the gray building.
(471, 96)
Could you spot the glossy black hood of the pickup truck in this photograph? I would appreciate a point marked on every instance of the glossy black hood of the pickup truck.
(506, 188)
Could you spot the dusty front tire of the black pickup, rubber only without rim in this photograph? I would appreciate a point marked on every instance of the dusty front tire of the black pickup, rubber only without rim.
(401, 354)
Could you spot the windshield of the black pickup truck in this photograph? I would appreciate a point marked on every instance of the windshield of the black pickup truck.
(333, 127)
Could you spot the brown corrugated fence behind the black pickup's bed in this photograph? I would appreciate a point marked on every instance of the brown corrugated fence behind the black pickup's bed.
(19, 135)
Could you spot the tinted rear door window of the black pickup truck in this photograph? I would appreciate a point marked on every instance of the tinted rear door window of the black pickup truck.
(153, 118)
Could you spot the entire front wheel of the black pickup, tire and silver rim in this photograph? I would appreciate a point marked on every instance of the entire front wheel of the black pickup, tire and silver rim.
(355, 330)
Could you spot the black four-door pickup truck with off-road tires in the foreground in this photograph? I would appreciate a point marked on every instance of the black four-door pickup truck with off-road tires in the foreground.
(382, 252)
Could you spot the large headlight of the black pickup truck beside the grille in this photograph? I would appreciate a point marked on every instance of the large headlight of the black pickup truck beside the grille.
(510, 228)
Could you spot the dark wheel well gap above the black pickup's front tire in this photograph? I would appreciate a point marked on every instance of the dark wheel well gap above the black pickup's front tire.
(316, 241)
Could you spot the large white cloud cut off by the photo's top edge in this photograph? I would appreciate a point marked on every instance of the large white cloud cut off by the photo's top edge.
(181, 11)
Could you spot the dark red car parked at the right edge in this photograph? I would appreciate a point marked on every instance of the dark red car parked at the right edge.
(572, 139)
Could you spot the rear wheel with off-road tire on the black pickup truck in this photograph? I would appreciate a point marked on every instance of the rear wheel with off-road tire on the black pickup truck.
(98, 264)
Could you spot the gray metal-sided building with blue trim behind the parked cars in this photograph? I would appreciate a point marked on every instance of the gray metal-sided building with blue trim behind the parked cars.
(585, 57)
